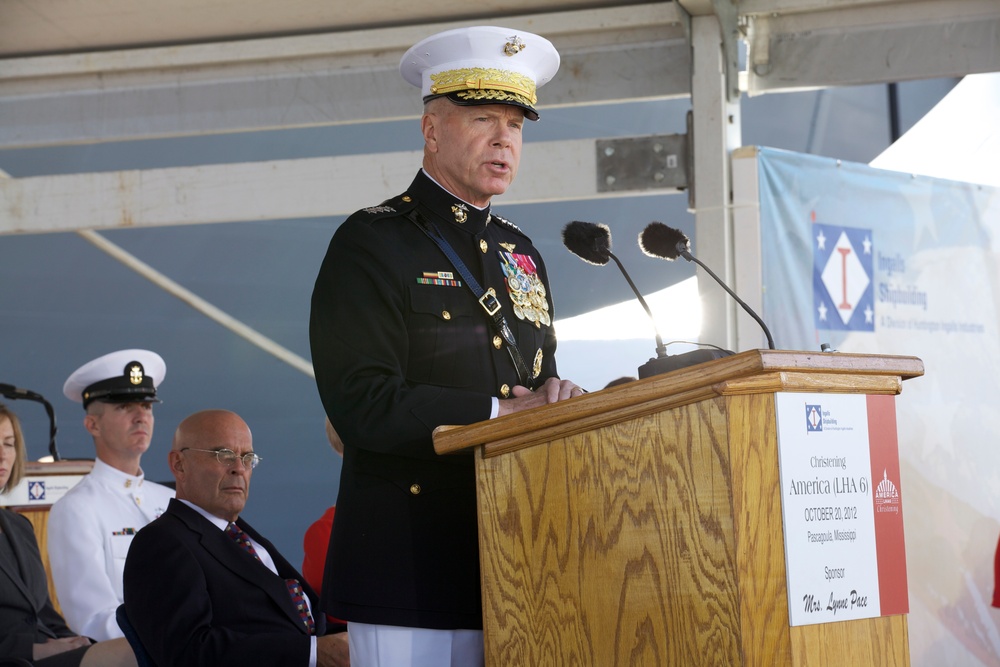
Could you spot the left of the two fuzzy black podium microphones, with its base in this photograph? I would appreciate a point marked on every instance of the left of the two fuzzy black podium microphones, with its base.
(591, 242)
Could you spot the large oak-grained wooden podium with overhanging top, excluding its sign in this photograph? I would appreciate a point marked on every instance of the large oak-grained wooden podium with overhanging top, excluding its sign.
(642, 524)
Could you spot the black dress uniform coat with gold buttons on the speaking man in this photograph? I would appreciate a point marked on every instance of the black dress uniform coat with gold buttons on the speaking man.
(400, 347)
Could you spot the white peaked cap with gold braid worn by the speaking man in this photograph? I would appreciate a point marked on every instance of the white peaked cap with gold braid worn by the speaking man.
(482, 65)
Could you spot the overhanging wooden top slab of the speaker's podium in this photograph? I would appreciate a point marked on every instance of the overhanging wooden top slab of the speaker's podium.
(753, 371)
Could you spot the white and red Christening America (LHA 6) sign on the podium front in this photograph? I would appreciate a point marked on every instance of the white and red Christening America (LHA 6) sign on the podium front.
(841, 507)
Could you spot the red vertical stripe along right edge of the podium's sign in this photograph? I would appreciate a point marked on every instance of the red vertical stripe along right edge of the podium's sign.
(888, 506)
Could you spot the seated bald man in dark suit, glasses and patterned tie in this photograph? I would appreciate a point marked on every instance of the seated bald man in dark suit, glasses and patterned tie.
(199, 595)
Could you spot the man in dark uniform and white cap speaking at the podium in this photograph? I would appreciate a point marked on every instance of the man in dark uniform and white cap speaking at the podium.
(429, 309)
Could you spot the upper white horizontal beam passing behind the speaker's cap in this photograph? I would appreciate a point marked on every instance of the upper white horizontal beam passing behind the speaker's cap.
(611, 54)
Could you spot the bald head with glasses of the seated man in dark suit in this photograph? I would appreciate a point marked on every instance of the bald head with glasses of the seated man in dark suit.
(220, 489)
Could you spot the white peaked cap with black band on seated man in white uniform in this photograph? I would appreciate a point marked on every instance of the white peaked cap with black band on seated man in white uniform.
(125, 376)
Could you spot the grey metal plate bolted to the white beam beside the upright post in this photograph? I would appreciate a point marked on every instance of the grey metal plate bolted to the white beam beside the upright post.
(659, 162)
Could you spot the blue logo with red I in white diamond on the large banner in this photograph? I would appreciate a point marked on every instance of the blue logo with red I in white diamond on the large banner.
(843, 291)
